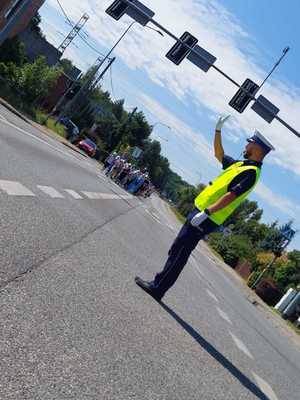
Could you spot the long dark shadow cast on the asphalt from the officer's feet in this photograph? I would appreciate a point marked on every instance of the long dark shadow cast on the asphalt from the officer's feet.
(246, 382)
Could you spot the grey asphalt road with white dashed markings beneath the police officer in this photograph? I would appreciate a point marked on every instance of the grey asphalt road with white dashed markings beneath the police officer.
(73, 323)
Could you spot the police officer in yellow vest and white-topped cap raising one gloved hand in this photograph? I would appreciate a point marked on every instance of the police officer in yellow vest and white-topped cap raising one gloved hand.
(212, 206)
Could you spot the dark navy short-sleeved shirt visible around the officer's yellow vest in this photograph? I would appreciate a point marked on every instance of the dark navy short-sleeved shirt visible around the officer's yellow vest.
(245, 180)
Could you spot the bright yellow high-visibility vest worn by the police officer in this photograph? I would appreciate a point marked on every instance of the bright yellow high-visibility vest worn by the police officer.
(219, 187)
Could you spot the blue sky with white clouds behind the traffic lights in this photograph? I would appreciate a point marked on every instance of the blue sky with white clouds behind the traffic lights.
(247, 37)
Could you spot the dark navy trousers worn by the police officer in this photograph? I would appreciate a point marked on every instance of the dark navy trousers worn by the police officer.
(182, 247)
